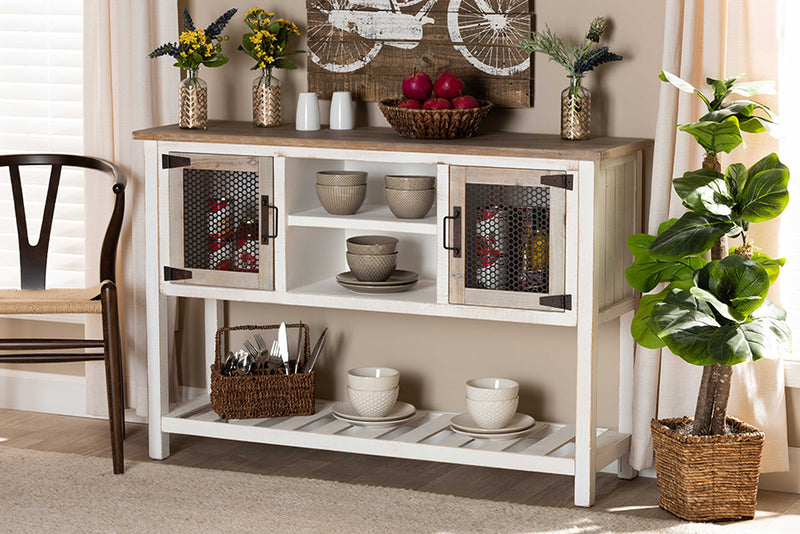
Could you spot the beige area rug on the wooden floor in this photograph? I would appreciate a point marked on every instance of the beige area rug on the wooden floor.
(45, 492)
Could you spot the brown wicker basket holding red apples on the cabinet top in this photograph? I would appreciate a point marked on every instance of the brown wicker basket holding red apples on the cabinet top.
(434, 123)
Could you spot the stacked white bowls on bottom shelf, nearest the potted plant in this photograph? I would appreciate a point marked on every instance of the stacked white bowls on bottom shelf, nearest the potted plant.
(492, 402)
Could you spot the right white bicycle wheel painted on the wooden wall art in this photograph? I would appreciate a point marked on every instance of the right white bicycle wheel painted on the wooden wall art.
(477, 27)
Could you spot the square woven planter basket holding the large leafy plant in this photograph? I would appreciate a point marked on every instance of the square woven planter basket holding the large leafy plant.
(707, 478)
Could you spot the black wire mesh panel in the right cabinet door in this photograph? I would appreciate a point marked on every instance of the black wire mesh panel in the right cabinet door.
(507, 244)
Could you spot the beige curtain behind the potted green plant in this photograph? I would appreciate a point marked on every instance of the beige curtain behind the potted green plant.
(709, 38)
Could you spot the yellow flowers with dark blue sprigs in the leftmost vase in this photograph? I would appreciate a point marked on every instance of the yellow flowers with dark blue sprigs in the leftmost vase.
(197, 47)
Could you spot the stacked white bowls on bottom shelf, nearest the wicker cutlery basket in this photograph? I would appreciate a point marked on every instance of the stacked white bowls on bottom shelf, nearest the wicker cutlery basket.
(373, 390)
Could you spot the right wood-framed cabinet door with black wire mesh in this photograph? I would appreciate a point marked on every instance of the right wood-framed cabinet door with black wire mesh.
(507, 237)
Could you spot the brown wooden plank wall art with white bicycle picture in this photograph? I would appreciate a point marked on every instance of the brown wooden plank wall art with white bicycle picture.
(368, 46)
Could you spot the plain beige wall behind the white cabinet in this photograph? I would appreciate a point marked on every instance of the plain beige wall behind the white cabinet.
(437, 355)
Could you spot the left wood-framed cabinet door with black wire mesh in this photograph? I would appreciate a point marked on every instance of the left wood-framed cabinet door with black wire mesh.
(222, 220)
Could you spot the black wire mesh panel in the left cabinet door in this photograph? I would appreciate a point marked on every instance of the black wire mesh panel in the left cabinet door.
(220, 210)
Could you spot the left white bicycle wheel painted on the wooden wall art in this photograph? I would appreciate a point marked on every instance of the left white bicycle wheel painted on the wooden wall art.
(331, 45)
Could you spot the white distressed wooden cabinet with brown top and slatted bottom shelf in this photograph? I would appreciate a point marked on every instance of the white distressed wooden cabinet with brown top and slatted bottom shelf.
(565, 207)
